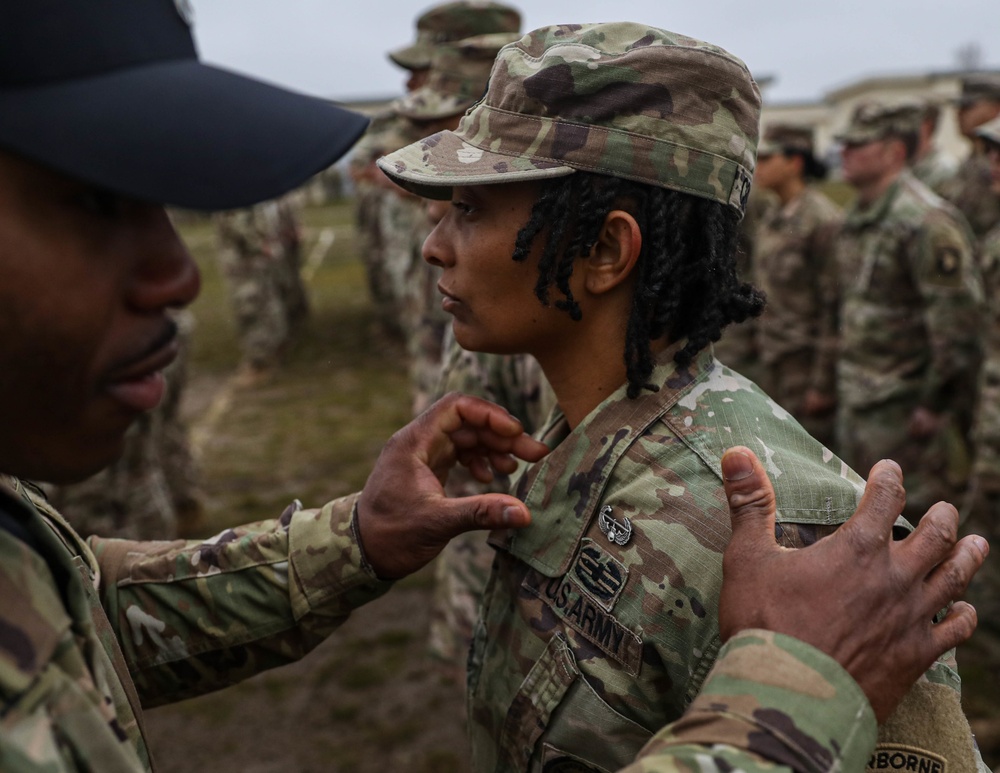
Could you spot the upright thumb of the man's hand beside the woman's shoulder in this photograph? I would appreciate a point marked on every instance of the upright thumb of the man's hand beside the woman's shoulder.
(752, 505)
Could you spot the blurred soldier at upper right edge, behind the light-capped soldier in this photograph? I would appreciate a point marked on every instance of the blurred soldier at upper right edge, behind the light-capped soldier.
(969, 189)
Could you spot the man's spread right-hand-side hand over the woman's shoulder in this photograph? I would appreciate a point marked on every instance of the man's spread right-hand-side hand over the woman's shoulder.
(866, 600)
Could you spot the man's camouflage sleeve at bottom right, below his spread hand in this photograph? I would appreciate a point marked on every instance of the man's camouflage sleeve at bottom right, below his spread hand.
(771, 703)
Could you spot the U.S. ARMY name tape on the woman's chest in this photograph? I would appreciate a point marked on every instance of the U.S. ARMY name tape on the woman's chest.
(579, 611)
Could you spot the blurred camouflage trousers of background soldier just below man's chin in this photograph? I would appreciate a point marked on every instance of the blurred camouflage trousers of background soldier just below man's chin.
(141, 495)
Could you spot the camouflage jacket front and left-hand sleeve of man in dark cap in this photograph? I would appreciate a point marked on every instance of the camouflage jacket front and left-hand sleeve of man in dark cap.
(146, 623)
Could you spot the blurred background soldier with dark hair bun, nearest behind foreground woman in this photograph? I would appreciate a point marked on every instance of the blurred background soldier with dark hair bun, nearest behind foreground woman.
(795, 266)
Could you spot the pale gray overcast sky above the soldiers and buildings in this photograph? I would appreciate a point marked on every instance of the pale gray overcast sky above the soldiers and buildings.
(322, 48)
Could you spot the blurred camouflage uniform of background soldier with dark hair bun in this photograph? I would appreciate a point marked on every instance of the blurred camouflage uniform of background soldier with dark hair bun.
(797, 335)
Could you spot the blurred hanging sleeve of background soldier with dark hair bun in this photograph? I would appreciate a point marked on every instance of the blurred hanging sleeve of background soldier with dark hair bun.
(823, 243)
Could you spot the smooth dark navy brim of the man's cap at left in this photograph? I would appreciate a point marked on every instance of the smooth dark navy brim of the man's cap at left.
(178, 132)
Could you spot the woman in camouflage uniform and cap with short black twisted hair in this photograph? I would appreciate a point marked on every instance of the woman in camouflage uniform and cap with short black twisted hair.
(596, 192)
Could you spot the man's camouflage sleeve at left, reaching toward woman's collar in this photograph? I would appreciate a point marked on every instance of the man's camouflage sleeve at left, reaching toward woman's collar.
(192, 617)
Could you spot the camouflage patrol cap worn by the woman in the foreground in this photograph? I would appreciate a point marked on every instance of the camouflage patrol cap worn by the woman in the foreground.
(620, 99)
